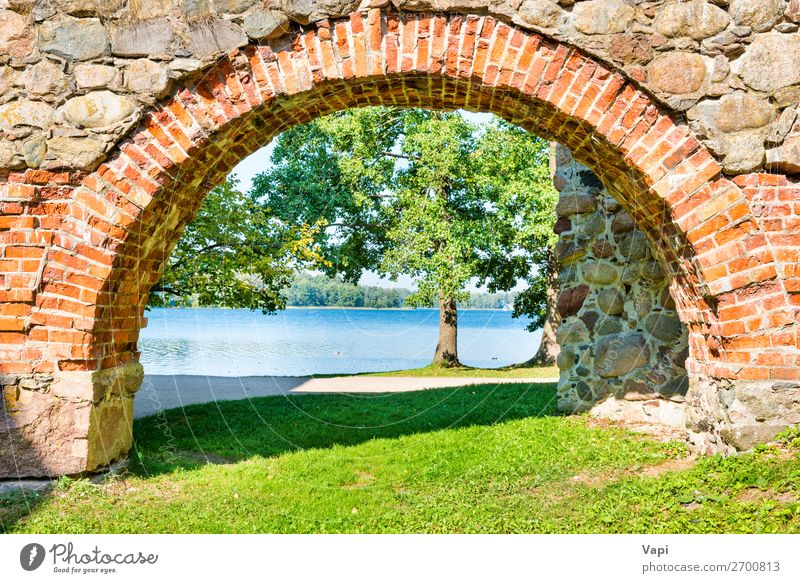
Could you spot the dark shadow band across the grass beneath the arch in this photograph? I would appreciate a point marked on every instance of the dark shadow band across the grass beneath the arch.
(232, 431)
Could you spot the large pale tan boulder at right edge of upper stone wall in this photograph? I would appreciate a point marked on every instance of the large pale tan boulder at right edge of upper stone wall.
(770, 62)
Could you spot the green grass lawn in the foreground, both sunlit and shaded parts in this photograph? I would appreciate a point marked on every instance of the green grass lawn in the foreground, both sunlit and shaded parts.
(470, 459)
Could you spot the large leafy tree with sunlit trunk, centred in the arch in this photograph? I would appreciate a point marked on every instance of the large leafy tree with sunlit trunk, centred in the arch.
(414, 192)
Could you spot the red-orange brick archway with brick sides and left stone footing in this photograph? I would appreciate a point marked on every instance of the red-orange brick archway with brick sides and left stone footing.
(84, 249)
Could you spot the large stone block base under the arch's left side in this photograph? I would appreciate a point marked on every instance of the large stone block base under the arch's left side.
(67, 422)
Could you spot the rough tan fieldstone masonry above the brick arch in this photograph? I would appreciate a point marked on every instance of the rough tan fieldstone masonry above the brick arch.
(77, 75)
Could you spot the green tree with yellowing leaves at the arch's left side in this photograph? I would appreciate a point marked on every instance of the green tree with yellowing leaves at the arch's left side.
(235, 254)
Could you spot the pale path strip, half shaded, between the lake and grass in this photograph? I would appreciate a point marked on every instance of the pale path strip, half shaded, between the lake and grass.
(161, 392)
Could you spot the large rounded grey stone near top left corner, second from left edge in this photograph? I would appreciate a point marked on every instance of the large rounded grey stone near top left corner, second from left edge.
(77, 39)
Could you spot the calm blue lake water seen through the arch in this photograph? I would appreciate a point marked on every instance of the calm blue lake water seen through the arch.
(300, 342)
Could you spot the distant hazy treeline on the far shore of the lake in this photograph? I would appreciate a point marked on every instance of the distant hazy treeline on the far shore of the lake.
(320, 291)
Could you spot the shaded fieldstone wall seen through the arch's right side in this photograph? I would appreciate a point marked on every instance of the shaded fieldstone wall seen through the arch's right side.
(623, 348)
